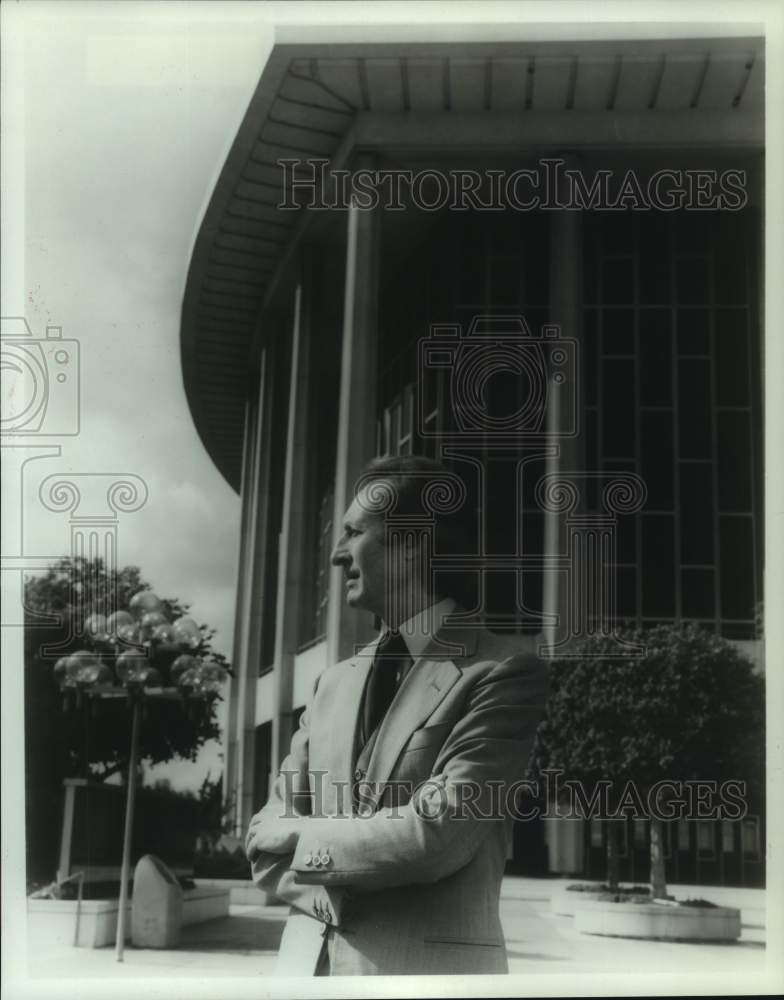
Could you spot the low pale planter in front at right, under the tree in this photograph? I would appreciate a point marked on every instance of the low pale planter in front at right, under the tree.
(663, 922)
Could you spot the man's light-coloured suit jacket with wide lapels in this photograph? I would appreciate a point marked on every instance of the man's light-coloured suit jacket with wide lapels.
(412, 884)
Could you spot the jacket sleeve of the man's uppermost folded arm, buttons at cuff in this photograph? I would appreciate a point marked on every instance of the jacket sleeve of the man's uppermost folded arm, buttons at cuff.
(440, 830)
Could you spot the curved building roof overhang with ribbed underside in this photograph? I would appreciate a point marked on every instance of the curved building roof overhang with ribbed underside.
(327, 99)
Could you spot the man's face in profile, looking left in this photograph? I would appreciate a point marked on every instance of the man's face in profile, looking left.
(362, 553)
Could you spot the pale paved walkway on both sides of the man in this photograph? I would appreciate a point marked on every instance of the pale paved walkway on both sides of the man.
(244, 944)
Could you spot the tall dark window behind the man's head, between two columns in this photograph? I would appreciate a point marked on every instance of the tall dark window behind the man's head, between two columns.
(469, 265)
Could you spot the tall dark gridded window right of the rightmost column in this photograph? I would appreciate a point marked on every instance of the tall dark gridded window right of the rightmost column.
(672, 386)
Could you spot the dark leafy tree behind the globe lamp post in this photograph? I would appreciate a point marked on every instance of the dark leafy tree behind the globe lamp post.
(88, 743)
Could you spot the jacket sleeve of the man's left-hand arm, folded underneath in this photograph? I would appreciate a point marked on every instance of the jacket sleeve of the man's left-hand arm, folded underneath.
(290, 796)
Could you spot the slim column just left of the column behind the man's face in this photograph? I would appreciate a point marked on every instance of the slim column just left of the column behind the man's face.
(291, 564)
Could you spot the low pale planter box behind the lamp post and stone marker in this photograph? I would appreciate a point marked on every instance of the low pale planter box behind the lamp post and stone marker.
(54, 920)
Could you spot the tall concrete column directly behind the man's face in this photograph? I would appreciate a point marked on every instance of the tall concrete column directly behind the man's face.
(356, 443)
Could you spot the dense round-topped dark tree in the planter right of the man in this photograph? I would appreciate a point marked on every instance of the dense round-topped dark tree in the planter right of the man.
(691, 709)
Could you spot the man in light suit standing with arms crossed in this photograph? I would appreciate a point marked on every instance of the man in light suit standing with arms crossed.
(383, 830)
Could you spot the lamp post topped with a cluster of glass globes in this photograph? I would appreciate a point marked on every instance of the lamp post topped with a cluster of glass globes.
(138, 655)
